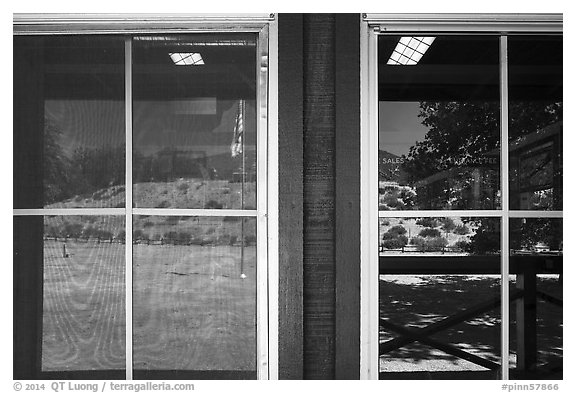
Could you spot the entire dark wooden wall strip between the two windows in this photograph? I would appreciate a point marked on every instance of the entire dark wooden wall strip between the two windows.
(319, 136)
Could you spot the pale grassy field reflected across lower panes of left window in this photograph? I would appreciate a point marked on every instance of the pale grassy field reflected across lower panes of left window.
(191, 308)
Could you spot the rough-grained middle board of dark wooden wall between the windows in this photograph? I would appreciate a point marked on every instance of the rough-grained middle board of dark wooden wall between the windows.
(319, 173)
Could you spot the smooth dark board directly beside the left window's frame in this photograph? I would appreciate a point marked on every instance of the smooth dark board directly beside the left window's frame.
(291, 153)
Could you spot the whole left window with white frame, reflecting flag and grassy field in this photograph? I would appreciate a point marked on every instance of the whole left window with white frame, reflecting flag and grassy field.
(141, 198)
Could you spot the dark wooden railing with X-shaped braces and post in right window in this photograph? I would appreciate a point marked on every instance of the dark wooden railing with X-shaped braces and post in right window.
(525, 294)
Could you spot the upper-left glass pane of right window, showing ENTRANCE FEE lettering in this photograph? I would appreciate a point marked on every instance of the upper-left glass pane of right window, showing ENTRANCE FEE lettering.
(439, 125)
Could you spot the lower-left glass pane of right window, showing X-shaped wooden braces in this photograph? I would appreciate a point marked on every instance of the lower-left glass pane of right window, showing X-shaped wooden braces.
(439, 291)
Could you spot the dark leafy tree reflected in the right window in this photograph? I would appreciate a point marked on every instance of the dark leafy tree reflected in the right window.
(461, 131)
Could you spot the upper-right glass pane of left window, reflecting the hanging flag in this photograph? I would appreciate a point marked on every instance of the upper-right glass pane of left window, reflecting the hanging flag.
(195, 124)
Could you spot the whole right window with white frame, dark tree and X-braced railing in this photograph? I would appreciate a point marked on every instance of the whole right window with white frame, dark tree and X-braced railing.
(462, 150)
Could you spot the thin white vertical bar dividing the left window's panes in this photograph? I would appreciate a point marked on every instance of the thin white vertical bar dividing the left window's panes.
(129, 188)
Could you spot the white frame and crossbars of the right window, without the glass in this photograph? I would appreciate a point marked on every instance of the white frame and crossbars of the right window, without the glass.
(372, 26)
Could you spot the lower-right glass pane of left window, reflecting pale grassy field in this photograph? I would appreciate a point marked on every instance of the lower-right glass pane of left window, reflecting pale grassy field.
(195, 294)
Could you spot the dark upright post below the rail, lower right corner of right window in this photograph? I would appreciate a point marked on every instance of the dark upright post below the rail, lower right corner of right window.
(526, 317)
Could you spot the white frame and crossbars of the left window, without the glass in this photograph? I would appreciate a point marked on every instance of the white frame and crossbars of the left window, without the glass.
(266, 212)
